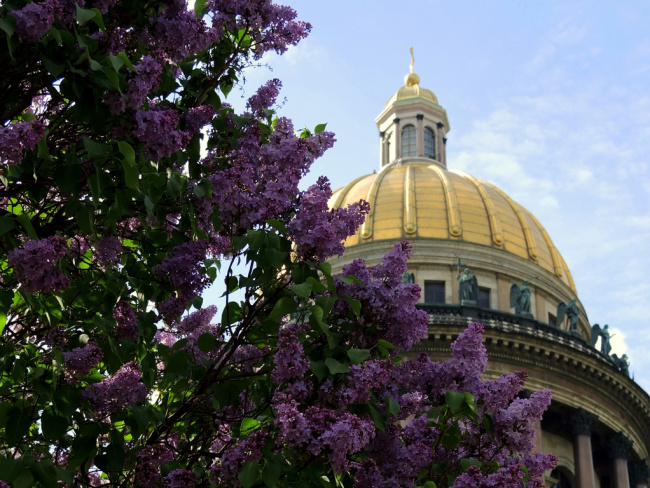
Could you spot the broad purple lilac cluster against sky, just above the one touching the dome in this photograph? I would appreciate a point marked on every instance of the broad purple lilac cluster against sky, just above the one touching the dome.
(261, 181)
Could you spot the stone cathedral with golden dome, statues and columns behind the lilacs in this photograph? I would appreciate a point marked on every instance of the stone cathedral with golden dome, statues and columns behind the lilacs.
(478, 256)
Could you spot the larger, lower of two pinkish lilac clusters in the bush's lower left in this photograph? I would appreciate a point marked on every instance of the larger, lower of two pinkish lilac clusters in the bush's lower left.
(121, 390)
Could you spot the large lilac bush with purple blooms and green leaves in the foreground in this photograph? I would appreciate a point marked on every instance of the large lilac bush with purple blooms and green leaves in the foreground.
(113, 222)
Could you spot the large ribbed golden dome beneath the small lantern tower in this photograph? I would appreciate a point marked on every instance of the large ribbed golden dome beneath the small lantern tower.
(420, 201)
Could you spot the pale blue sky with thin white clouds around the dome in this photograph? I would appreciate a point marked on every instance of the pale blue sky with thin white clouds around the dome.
(549, 101)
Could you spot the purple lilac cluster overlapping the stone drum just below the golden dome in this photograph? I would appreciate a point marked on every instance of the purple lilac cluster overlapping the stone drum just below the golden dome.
(387, 305)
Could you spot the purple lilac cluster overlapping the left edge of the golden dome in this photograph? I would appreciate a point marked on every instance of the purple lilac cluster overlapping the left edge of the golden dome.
(319, 232)
